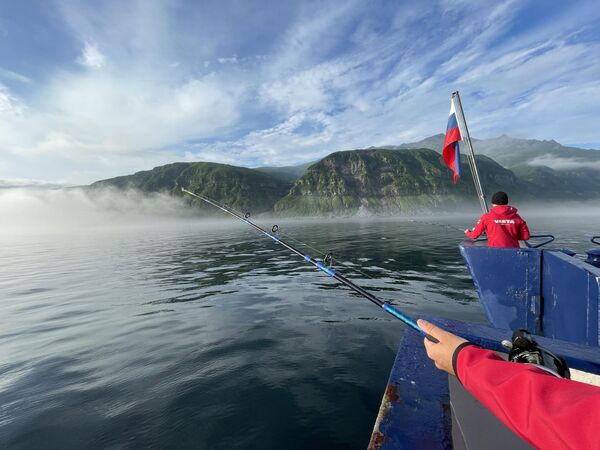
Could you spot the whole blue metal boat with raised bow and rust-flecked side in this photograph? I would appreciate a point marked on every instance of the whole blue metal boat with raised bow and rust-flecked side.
(550, 292)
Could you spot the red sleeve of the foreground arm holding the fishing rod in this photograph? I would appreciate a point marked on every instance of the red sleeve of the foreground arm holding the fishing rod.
(546, 411)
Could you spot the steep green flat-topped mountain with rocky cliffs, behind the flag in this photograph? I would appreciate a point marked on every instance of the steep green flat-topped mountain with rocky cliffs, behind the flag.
(384, 181)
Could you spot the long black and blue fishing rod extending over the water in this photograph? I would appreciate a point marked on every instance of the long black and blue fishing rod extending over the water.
(319, 265)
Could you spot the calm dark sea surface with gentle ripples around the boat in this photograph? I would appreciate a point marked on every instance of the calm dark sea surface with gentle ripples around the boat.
(205, 335)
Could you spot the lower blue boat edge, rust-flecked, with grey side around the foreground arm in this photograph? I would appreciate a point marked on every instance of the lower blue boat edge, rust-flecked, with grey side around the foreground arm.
(424, 408)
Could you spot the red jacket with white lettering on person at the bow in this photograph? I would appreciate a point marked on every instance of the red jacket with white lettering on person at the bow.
(504, 227)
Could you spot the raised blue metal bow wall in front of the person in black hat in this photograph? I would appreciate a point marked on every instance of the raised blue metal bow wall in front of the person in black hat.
(548, 292)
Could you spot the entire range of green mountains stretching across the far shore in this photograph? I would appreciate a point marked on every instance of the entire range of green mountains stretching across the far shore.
(388, 180)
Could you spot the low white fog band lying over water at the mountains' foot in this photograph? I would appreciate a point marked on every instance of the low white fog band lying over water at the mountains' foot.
(44, 209)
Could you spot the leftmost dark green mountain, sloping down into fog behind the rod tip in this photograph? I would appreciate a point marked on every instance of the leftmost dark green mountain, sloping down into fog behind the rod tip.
(238, 187)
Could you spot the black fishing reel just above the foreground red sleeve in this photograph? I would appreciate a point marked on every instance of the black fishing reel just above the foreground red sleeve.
(524, 349)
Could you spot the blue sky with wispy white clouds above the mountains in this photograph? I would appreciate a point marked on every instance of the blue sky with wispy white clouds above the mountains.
(91, 90)
